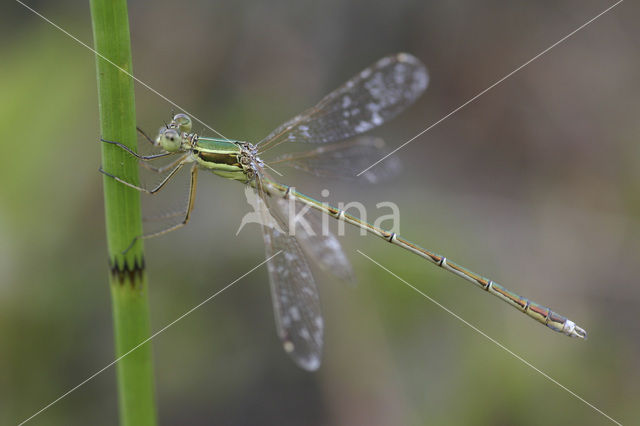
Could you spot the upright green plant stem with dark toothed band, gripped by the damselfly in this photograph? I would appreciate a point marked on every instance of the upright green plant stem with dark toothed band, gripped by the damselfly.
(128, 279)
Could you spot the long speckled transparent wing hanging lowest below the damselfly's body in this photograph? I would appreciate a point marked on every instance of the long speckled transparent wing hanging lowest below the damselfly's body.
(294, 294)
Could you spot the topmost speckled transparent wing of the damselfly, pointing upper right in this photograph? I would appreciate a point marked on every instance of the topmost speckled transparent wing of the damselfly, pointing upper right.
(372, 97)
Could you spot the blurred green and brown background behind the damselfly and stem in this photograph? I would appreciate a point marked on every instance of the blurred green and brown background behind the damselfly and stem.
(535, 185)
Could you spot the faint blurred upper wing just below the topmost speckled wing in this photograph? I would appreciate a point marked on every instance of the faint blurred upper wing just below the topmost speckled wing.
(344, 160)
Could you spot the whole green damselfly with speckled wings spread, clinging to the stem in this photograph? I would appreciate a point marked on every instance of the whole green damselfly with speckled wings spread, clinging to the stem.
(369, 99)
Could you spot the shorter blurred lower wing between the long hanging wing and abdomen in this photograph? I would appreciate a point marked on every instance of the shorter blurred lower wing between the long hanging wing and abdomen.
(316, 240)
